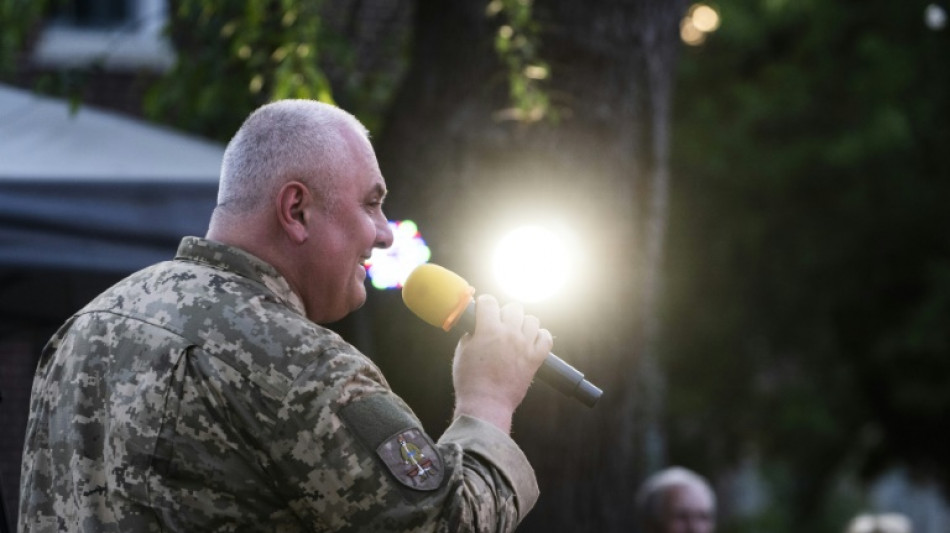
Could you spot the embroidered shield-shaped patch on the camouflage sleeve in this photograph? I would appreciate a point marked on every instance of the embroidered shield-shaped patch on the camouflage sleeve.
(412, 459)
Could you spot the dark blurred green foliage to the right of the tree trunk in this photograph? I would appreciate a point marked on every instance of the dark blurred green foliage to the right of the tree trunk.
(808, 254)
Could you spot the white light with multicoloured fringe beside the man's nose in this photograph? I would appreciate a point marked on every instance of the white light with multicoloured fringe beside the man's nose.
(389, 268)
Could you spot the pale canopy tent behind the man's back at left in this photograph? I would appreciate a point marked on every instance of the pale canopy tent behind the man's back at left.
(91, 193)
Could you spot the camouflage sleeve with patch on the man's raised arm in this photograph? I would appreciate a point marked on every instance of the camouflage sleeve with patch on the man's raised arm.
(352, 456)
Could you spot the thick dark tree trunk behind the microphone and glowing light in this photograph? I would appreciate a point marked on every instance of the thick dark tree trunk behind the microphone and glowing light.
(464, 176)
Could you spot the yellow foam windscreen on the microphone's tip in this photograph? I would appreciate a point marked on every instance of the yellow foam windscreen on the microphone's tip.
(437, 295)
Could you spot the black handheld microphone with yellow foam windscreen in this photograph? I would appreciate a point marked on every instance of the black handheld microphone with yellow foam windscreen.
(442, 298)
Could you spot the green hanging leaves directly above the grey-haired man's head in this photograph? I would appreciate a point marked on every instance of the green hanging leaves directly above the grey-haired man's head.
(235, 55)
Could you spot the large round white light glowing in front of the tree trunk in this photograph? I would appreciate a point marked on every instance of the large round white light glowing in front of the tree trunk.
(532, 263)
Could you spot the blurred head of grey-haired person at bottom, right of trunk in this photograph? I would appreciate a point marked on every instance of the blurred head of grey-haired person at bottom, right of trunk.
(676, 500)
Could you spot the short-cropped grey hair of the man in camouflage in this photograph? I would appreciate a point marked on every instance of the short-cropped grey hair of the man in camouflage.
(281, 141)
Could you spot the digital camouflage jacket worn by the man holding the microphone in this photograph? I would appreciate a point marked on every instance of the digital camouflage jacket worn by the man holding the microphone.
(195, 396)
